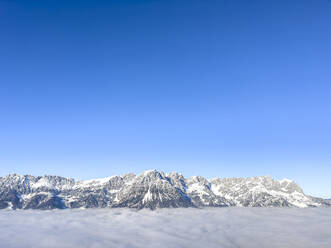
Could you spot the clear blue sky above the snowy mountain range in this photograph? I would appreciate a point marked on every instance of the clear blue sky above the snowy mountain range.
(220, 88)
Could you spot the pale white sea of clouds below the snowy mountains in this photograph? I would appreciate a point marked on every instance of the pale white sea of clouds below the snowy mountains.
(209, 227)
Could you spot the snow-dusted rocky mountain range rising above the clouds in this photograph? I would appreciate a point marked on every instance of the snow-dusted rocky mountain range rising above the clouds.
(151, 189)
